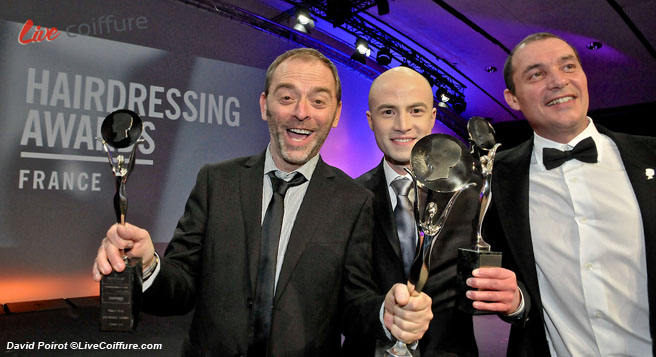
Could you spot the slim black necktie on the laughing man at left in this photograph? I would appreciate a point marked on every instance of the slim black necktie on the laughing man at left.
(266, 271)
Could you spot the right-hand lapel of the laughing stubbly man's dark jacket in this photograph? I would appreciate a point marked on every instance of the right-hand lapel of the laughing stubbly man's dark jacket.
(320, 190)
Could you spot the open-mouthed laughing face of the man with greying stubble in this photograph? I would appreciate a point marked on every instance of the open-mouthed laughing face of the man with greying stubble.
(301, 106)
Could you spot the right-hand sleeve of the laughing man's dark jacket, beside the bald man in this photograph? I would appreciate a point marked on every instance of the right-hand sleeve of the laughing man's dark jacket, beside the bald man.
(361, 299)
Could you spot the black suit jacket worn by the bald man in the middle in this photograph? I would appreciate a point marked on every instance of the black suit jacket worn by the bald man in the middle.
(451, 330)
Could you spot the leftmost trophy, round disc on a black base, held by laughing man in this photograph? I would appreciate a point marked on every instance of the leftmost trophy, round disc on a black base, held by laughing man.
(120, 293)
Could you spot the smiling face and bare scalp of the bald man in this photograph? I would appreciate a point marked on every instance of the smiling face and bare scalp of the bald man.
(400, 113)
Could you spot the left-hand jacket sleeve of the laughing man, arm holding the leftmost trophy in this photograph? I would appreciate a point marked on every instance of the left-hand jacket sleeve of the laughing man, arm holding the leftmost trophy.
(174, 289)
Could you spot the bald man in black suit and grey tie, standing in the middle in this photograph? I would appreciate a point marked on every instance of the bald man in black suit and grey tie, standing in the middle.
(400, 113)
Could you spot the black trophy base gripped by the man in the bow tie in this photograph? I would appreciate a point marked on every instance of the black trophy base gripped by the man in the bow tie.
(468, 260)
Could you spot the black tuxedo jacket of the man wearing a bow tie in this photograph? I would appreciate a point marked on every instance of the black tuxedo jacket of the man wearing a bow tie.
(510, 231)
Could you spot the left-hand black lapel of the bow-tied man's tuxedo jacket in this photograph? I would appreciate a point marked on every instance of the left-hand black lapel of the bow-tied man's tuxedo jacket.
(511, 178)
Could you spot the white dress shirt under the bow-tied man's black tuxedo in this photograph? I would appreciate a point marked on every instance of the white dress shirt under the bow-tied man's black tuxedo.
(589, 248)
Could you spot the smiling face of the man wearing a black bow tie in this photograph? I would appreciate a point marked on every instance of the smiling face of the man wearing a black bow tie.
(551, 89)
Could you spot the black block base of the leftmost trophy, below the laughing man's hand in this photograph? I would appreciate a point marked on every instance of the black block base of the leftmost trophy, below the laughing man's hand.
(120, 298)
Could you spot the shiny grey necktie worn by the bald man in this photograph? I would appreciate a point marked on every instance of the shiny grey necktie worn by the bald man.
(405, 222)
